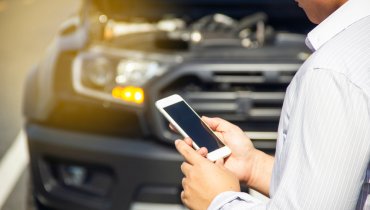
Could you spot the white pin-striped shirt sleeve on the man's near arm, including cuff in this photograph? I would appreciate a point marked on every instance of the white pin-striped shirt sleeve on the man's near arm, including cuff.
(325, 150)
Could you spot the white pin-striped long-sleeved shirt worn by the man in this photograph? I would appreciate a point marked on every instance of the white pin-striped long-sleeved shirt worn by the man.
(323, 146)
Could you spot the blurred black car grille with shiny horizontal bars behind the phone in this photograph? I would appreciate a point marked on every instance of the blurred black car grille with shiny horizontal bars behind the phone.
(248, 95)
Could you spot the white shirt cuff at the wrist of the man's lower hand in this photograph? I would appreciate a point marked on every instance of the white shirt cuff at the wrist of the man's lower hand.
(228, 197)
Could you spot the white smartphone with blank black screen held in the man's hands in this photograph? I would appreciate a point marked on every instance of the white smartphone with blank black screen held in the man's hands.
(189, 124)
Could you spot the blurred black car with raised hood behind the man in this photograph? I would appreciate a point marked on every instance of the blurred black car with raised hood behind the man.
(96, 140)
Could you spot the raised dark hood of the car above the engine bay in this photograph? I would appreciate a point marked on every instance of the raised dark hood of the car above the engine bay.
(283, 14)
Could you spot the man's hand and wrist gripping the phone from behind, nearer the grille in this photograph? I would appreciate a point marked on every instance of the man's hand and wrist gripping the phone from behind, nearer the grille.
(250, 165)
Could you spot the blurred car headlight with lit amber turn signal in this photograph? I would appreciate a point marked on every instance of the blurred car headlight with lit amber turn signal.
(114, 77)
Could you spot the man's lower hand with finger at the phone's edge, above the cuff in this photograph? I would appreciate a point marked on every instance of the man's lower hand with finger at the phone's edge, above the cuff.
(203, 180)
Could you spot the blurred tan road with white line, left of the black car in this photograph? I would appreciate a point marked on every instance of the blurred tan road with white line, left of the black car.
(26, 29)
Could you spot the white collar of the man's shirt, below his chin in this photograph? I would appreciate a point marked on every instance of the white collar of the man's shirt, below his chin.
(346, 15)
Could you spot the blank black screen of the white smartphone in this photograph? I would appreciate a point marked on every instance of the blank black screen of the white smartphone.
(193, 126)
